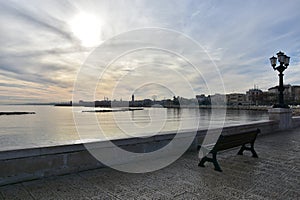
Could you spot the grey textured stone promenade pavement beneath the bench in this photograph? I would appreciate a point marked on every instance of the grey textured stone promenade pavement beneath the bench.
(274, 175)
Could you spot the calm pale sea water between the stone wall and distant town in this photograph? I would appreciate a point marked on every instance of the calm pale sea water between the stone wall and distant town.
(55, 125)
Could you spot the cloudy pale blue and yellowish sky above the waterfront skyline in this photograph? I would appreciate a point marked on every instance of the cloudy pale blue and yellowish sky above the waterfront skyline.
(51, 50)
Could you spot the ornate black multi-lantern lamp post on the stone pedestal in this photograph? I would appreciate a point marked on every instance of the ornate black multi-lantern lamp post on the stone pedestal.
(284, 62)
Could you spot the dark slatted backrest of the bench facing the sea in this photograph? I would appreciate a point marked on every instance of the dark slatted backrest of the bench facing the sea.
(230, 141)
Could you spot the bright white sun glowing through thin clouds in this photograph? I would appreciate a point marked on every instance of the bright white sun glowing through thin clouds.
(87, 28)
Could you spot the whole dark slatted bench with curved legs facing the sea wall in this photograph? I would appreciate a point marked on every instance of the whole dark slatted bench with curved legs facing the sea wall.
(225, 142)
